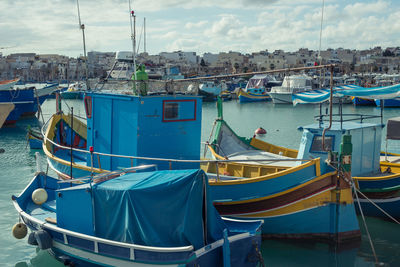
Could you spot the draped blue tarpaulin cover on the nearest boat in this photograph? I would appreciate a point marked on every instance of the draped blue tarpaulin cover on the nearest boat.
(161, 208)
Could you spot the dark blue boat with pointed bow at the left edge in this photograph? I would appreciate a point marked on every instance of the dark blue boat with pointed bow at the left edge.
(27, 100)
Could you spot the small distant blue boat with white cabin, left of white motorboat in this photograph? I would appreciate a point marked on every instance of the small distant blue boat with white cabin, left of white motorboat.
(256, 88)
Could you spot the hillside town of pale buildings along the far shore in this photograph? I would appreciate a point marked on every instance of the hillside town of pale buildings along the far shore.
(31, 67)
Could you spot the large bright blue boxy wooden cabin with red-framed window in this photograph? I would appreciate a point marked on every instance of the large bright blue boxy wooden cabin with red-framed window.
(144, 126)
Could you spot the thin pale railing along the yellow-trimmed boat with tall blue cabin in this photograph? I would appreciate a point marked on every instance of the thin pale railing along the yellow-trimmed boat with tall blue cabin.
(170, 161)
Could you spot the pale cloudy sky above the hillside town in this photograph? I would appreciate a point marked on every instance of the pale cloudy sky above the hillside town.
(246, 26)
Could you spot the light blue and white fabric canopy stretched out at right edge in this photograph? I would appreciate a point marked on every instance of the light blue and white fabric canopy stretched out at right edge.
(322, 95)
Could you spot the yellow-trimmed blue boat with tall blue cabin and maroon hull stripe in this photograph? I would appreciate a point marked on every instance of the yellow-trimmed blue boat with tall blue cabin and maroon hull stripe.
(136, 138)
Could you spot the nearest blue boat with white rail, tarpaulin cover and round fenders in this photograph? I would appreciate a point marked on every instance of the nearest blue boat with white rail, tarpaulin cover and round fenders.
(134, 217)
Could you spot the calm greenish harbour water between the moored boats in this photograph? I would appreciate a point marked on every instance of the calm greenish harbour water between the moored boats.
(17, 166)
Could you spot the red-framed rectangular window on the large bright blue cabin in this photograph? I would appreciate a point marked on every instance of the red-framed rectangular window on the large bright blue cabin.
(179, 110)
